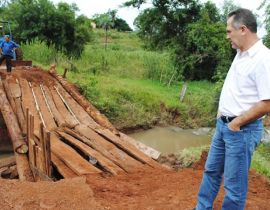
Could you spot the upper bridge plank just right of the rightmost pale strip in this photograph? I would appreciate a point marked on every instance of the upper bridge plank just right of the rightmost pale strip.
(80, 113)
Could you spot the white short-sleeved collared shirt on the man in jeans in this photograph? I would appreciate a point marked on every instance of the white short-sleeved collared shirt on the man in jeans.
(247, 82)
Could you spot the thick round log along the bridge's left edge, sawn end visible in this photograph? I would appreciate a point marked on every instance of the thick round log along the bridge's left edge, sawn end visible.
(18, 142)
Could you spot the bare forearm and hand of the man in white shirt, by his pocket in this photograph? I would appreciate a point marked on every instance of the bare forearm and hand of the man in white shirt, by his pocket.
(258, 110)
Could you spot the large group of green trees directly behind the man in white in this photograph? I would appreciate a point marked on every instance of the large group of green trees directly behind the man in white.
(195, 33)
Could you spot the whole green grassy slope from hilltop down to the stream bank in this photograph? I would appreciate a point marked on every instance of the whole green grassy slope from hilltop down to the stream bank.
(129, 84)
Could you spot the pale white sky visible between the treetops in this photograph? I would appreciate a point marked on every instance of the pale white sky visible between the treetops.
(91, 7)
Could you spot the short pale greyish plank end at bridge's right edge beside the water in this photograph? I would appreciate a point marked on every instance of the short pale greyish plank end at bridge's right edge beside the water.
(142, 147)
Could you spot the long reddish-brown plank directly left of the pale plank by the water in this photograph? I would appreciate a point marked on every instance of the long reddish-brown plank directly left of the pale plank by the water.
(128, 148)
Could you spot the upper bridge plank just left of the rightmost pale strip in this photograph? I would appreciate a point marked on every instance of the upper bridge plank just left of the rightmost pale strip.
(69, 119)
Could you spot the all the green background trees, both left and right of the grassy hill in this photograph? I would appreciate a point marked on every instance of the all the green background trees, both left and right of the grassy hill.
(194, 33)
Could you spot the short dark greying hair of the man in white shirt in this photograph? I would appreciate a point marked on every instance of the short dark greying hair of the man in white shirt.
(245, 17)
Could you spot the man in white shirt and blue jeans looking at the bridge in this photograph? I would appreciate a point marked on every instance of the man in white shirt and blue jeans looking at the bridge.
(244, 100)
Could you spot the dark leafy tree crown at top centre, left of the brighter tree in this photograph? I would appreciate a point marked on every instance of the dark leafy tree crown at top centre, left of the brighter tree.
(165, 23)
